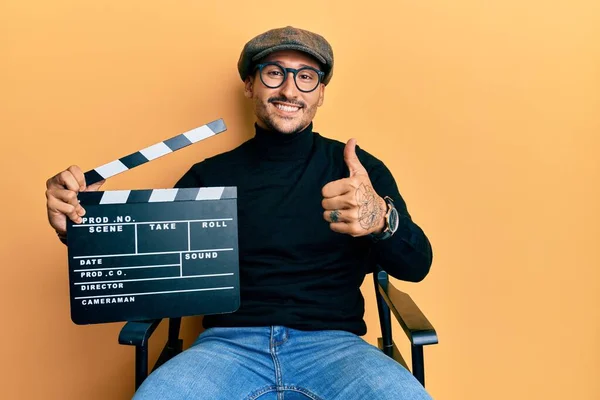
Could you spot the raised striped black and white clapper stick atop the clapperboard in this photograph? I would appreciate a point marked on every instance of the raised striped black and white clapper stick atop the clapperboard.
(155, 151)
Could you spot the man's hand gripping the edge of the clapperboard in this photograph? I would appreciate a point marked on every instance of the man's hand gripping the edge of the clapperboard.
(61, 197)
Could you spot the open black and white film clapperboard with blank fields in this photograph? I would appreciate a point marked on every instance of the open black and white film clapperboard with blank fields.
(148, 254)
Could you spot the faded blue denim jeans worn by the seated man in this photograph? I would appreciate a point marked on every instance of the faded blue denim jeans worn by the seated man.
(278, 363)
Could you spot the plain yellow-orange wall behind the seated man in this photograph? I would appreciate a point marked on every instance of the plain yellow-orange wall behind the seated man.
(487, 113)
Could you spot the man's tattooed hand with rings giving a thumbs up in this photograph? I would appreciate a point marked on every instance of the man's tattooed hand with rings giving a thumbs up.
(351, 205)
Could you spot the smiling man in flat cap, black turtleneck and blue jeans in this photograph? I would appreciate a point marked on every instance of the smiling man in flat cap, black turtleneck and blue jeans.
(312, 214)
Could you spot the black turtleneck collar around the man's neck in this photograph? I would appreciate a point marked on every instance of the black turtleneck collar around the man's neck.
(274, 145)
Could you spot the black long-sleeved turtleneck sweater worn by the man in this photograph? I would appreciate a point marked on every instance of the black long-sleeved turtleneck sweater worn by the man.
(294, 270)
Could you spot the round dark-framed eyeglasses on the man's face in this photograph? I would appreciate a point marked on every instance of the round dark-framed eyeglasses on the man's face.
(274, 75)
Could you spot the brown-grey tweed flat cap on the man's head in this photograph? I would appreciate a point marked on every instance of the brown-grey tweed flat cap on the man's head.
(288, 38)
